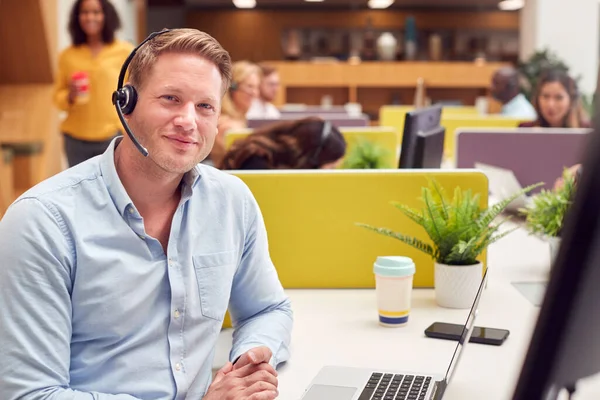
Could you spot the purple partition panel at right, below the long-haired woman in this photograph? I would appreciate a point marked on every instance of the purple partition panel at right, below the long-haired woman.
(533, 154)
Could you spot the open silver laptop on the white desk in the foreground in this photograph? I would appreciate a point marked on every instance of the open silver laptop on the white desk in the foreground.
(348, 383)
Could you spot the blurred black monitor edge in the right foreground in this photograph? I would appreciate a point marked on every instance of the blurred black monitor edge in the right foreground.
(565, 345)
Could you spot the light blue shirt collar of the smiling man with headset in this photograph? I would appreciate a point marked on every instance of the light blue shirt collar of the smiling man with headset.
(116, 189)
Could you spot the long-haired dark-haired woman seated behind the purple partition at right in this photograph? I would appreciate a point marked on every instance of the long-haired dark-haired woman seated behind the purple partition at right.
(558, 103)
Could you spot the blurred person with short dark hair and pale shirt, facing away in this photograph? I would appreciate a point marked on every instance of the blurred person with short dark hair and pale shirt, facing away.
(505, 89)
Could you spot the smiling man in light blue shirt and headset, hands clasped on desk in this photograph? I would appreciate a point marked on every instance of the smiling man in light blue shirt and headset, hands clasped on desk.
(117, 273)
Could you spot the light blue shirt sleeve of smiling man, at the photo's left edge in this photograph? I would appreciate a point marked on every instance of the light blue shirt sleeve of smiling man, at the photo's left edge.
(36, 266)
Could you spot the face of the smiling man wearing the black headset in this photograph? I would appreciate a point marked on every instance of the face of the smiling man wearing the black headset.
(177, 111)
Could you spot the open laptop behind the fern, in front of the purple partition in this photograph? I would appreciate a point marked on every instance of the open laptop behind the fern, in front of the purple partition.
(503, 183)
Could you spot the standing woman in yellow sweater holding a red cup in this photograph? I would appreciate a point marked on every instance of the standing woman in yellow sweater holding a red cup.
(84, 82)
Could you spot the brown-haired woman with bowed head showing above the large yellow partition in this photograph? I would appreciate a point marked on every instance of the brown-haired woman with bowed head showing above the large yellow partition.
(309, 143)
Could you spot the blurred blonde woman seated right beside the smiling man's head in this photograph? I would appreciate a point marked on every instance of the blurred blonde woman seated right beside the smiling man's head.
(236, 103)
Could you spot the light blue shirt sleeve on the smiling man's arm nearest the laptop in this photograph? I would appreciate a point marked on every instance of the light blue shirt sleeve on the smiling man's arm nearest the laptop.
(261, 311)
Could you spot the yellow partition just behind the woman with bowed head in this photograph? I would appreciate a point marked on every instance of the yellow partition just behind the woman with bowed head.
(383, 136)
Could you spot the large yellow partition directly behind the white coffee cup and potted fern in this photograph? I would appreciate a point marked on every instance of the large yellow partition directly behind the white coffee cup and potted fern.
(311, 216)
